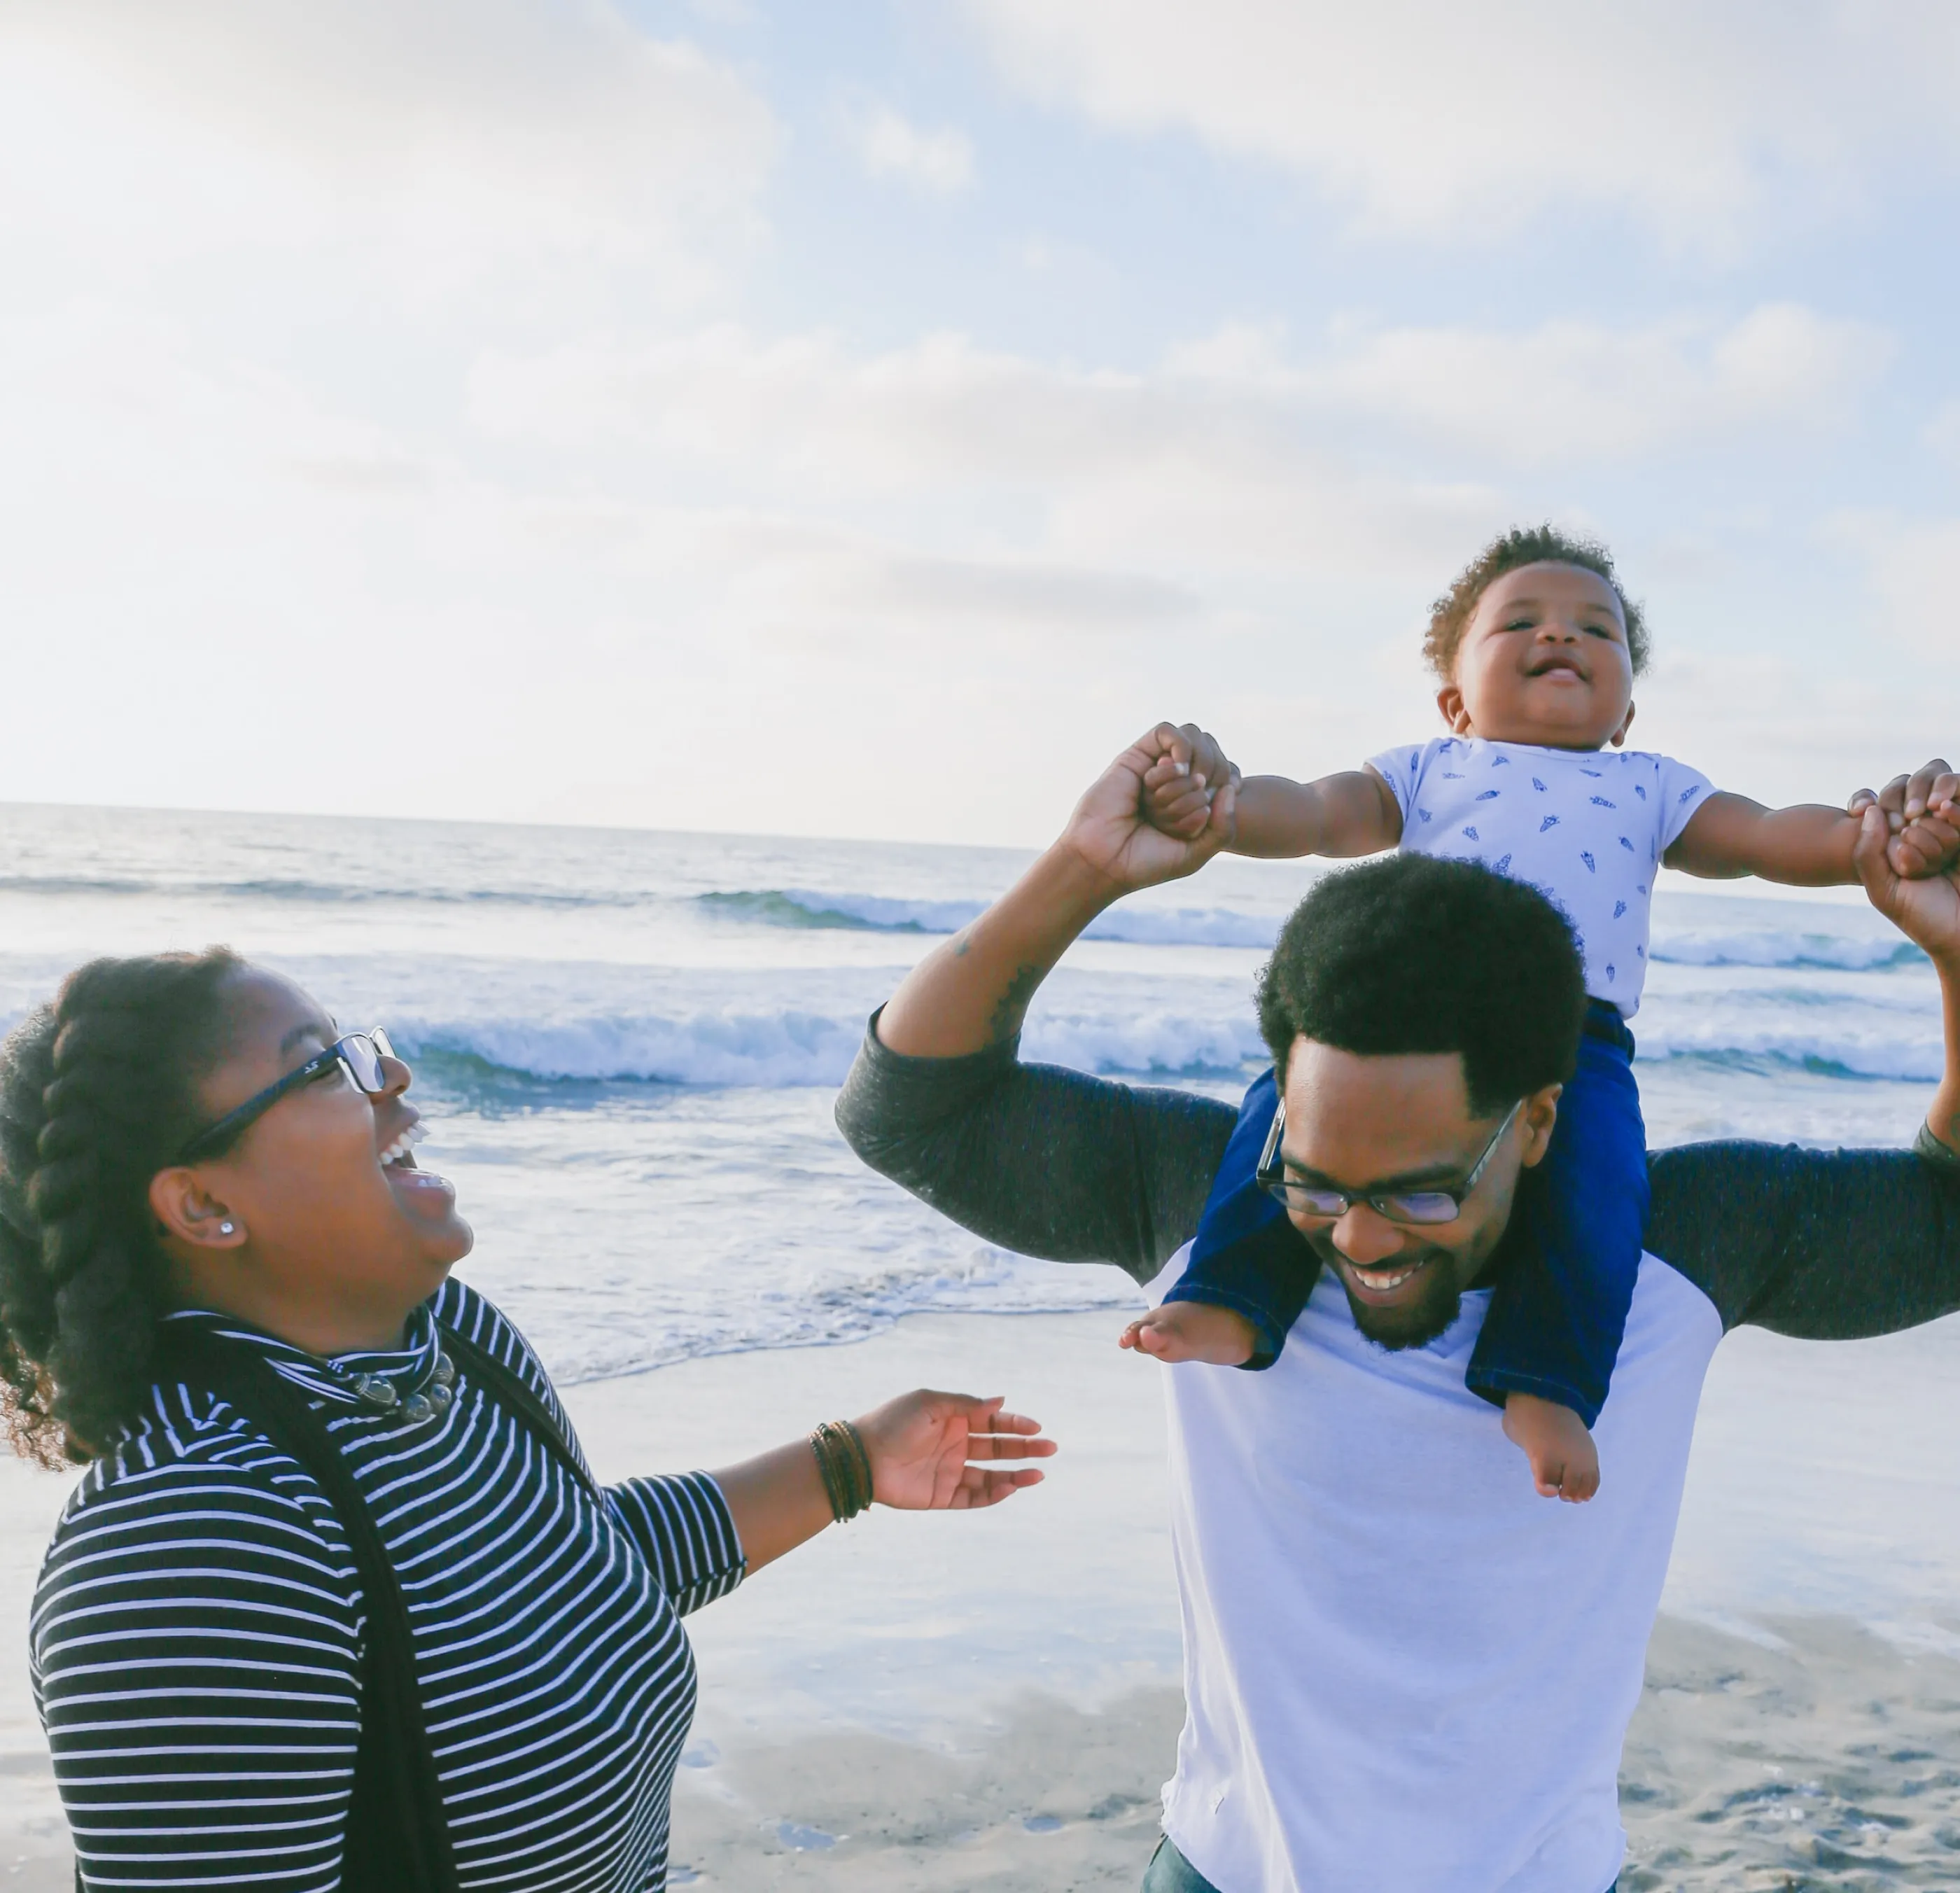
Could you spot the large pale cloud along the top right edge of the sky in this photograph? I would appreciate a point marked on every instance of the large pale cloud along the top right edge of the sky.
(1457, 119)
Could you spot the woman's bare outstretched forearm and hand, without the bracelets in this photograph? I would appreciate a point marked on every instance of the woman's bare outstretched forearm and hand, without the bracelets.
(928, 1453)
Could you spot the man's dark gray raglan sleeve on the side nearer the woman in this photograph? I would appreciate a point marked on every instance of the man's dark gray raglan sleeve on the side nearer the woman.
(1038, 1159)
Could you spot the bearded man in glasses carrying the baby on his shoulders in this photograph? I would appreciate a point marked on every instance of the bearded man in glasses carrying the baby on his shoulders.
(1404, 1671)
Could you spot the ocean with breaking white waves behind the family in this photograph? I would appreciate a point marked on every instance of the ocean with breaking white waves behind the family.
(628, 1044)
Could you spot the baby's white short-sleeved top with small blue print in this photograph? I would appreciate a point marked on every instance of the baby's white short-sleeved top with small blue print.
(1587, 828)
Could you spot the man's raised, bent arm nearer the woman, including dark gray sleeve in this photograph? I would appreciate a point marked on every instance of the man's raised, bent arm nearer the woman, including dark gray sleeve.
(1038, 1159)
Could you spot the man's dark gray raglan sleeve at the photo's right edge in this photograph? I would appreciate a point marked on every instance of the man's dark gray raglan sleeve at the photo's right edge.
(1826, 1245)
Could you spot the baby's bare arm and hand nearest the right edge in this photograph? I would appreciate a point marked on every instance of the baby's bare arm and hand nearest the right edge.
(1810, 846)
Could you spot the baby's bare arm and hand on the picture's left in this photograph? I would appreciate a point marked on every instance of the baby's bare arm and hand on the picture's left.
(1277, 818)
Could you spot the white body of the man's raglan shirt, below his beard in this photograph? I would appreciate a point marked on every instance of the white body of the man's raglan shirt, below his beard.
(1404, 1671)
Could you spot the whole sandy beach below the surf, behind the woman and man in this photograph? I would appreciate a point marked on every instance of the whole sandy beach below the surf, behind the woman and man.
(993, 1702)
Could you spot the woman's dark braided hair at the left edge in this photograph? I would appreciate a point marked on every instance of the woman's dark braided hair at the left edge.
(97, 1096)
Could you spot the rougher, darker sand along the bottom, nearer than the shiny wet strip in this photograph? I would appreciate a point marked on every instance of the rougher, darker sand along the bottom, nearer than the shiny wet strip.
(1830, 1763)
